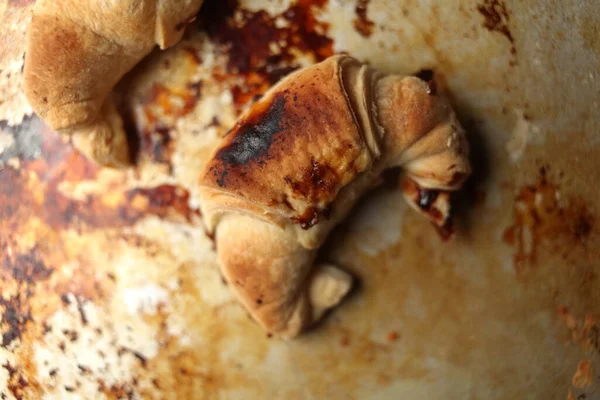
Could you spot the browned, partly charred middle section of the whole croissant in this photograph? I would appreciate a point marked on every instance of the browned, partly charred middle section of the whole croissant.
(293, 150)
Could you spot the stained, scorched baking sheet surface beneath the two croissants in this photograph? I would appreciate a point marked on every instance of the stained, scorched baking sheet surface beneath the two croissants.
(110, 288)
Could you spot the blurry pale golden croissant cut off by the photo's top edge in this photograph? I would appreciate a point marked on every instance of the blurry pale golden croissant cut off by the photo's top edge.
(77, 50)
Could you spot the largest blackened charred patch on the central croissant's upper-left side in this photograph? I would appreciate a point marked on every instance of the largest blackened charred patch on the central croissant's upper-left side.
(252, 138)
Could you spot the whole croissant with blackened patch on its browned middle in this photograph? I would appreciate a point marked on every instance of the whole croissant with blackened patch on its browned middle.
(300, 158)
